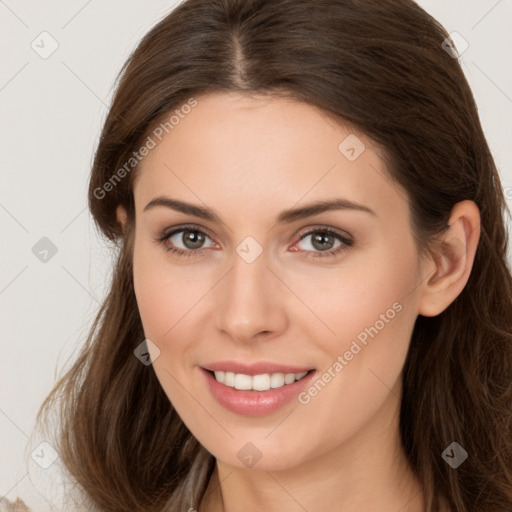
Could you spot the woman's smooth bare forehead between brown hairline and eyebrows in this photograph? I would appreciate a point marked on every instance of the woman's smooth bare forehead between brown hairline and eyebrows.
(254, 152)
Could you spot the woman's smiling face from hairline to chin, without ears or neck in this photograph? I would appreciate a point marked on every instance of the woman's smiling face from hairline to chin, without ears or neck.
(261, 290)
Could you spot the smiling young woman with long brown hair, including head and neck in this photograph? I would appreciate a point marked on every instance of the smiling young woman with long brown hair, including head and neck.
(312, 255)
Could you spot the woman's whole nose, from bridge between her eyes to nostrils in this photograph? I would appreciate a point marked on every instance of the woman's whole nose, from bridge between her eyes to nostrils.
(249, 302)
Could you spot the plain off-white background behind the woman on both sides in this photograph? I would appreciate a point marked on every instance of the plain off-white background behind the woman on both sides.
(51, 115)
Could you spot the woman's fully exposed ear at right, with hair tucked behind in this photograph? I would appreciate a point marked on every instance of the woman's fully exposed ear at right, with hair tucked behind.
(453, 260)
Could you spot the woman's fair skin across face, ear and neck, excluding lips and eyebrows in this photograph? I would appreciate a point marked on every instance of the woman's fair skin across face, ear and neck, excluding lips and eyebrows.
(248, 158)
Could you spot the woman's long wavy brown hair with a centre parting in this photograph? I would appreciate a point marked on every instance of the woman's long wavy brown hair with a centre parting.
(380, 67)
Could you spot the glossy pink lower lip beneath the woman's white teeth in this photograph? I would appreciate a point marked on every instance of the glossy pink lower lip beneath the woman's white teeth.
(255, 403)
